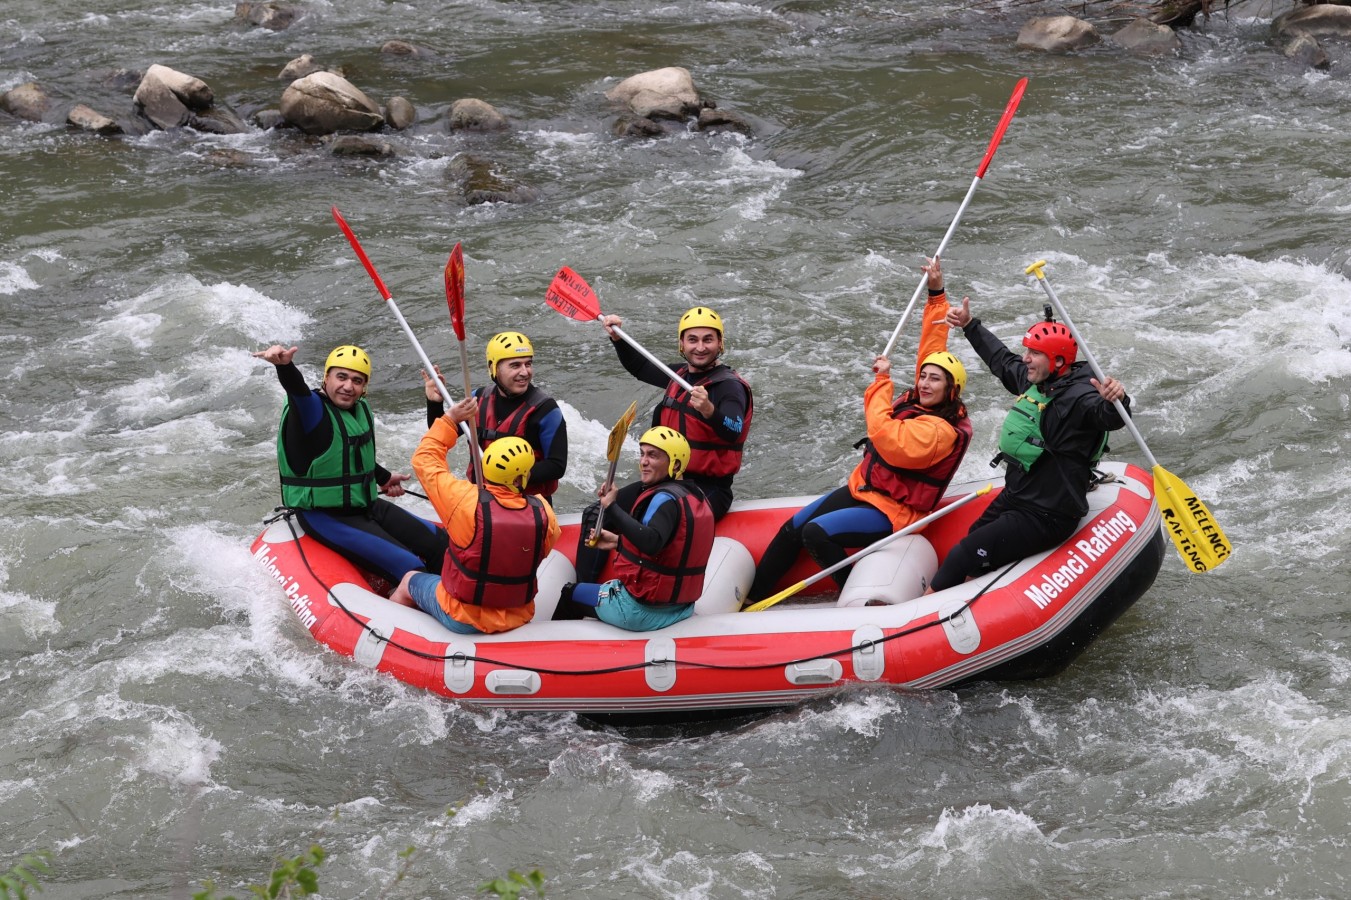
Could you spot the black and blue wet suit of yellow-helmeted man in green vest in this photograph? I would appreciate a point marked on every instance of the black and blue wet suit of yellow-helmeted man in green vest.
(382, 539)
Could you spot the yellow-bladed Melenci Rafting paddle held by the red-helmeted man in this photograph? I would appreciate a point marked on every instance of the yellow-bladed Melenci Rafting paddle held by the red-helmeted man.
(1195, 532)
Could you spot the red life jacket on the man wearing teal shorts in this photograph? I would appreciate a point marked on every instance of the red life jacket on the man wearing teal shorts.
(676, 575)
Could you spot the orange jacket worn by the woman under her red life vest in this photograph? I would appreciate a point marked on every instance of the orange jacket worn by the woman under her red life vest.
(914, 444)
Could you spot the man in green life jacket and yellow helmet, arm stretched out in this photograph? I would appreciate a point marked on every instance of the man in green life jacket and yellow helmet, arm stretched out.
(326, 453)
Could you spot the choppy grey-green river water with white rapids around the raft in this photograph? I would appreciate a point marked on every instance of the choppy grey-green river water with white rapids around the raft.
(167, 721)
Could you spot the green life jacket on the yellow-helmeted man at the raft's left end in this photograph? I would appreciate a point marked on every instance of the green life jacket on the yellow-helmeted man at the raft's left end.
(344, 476)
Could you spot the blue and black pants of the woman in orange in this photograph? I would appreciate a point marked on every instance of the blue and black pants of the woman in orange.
(829, 529)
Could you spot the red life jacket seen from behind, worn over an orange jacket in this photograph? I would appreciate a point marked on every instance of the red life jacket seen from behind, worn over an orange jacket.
(498, 568)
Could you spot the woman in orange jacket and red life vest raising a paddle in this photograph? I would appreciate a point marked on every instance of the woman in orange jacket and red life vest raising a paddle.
(913, 451)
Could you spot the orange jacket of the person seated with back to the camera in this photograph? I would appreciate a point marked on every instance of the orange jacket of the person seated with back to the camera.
(456, 502)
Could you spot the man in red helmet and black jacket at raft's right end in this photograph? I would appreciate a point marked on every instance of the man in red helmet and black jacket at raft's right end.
(1052, 439)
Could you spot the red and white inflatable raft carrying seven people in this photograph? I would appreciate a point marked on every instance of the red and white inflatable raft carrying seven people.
(1023, 622)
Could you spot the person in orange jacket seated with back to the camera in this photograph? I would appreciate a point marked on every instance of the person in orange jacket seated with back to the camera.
(499, 534)
